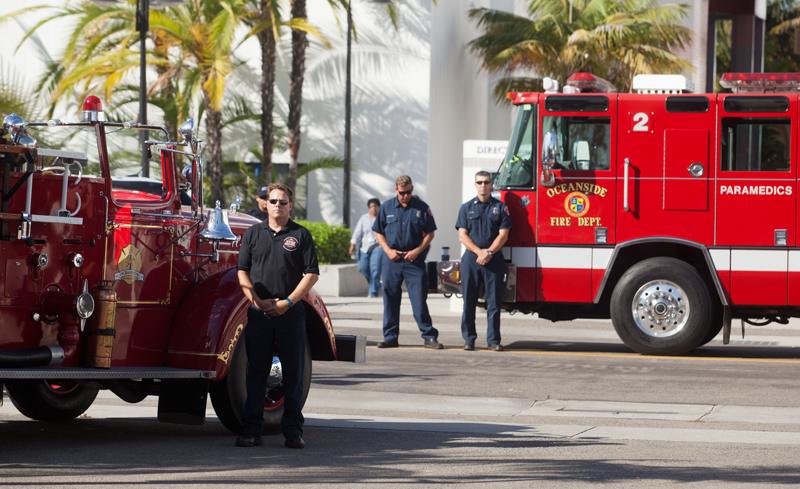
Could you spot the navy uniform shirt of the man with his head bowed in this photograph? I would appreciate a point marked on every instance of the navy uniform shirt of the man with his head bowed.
(403, 226)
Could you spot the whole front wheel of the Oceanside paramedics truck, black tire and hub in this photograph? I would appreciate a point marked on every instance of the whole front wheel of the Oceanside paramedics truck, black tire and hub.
(674, 309)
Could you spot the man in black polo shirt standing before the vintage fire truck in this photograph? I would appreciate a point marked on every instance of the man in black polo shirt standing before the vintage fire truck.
(277, 268)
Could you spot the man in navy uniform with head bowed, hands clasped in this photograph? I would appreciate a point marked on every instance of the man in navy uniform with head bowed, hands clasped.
(404, 229)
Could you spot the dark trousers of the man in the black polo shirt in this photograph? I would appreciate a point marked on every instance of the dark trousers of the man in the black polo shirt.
(288, 334)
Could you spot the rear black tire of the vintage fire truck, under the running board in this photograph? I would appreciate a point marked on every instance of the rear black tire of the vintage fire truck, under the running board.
(46, 400)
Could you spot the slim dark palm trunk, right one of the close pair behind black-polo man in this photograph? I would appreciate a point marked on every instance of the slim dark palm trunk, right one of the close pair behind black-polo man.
(299, 45)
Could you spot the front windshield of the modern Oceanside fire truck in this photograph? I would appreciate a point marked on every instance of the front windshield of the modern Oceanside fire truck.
(517, 167)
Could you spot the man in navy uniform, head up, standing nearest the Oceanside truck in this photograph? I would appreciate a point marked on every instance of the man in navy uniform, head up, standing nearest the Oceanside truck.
(483, 226)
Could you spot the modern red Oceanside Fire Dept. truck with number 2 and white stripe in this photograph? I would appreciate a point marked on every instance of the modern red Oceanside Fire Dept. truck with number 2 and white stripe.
(669, 212)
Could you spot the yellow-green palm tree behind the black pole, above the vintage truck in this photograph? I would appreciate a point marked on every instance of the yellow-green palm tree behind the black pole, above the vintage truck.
(195, 42)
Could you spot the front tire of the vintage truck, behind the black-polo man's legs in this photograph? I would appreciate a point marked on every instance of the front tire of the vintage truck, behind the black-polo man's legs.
(229, 394)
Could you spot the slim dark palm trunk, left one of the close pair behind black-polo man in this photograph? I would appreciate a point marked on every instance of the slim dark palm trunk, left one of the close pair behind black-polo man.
(267, 40)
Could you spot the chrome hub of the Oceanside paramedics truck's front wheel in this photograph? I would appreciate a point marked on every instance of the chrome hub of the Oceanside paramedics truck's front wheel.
(660, 308)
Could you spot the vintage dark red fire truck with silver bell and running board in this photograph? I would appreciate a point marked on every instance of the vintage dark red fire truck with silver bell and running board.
(120, 289)
